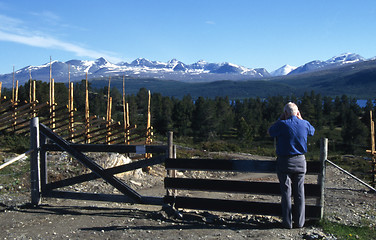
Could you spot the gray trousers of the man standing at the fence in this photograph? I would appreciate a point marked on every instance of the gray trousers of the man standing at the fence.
(296, 180)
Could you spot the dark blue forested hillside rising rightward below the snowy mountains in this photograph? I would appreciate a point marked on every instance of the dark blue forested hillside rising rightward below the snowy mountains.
(356, 80)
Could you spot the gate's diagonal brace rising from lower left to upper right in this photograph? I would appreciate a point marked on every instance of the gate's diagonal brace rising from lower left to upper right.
(114, 170)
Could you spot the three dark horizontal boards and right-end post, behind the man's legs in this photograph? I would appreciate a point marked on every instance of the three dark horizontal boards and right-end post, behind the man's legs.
(245, 187)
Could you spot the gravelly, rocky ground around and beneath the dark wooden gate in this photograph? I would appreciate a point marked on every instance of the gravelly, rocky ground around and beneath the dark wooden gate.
(346, 201)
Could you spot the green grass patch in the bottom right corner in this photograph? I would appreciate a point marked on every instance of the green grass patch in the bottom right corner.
(342, 231)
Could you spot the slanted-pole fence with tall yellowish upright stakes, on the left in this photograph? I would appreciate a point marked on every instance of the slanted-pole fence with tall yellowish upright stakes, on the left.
(66, 121)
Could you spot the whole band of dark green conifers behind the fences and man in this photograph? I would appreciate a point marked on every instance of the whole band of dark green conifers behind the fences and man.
(243, 120)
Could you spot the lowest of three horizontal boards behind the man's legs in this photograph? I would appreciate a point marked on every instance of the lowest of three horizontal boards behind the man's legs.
(222, 205)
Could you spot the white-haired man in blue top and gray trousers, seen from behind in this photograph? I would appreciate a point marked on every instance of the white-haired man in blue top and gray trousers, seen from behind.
(291, 132)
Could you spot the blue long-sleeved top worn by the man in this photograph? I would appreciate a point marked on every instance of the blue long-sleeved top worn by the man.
(291, 135)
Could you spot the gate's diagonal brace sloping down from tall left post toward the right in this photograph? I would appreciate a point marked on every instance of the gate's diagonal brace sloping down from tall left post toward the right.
(89, 163)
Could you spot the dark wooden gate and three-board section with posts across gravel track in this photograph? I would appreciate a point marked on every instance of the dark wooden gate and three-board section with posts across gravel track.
(165, 154)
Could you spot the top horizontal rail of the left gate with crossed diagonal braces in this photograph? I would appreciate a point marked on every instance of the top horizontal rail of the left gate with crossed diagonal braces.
(119, 148)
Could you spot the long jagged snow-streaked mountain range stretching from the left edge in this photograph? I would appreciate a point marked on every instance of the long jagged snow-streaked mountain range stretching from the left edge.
(141, 67)
